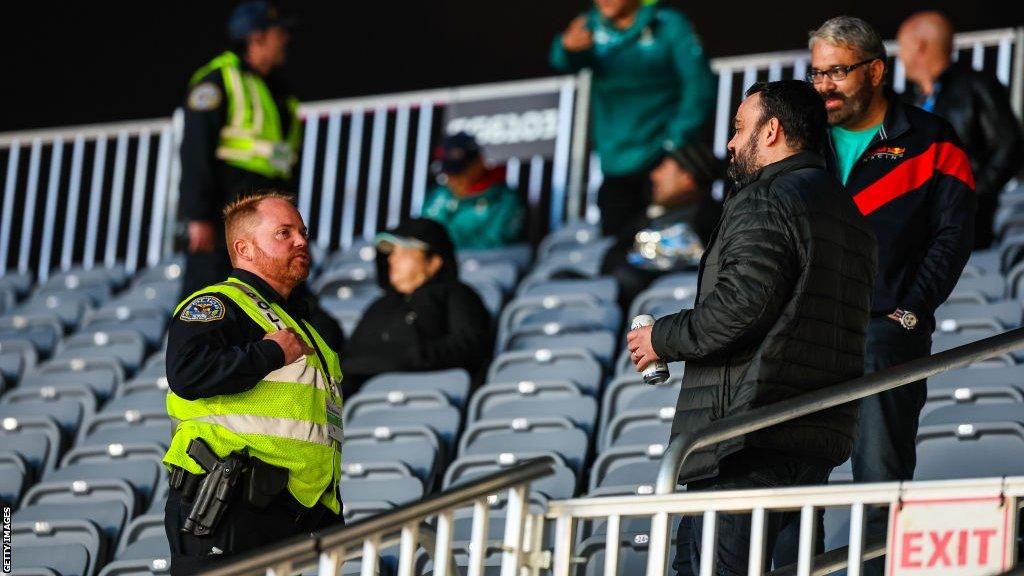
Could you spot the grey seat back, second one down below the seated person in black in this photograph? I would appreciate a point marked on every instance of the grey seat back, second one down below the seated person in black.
(398, 408)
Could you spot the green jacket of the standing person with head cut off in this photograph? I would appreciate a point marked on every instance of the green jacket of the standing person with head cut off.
(652, 87)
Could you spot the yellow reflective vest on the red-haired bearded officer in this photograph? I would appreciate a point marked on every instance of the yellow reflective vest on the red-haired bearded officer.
(282, 421)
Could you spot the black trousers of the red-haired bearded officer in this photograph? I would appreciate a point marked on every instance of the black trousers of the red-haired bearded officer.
(243, 528)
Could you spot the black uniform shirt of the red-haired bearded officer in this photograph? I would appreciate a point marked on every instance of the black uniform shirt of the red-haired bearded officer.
(215, 348)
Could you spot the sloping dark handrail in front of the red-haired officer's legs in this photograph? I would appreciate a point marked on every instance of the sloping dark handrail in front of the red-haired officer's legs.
(352, 537)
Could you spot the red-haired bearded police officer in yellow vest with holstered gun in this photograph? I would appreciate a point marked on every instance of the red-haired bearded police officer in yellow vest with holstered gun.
(253, 380)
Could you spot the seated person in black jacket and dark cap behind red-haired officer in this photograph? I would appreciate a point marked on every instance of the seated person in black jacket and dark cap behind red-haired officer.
(426, 320)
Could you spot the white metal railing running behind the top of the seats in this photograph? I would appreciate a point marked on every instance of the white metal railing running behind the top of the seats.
(107, 194)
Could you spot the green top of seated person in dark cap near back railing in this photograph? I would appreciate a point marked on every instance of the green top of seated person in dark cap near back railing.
(490, 220)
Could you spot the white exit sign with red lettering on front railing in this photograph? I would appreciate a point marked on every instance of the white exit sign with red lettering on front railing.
(963, 537)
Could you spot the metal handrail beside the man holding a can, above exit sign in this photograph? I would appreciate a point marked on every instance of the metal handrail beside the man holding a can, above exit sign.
(684, 446)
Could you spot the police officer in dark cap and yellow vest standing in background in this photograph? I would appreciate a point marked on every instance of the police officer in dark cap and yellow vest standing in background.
(241, 135)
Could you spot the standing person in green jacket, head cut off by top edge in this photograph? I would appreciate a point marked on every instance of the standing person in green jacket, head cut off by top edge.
(653, 88)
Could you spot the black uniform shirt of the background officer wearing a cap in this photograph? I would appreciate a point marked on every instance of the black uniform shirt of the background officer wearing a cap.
(207, 183)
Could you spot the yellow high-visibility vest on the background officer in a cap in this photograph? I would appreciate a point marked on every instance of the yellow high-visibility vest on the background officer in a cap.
(252, 140)
